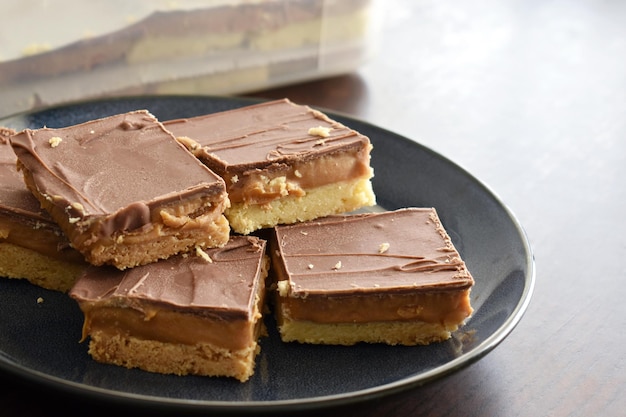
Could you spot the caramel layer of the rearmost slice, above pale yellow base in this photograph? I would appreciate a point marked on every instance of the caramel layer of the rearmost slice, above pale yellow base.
(261, 186)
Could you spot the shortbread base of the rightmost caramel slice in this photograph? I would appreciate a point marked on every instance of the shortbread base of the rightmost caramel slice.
(408, 333)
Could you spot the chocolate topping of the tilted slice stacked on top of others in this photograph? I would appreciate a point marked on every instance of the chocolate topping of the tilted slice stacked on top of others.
(119, 167)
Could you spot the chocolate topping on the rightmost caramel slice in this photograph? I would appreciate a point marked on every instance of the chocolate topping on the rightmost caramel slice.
(370, 253)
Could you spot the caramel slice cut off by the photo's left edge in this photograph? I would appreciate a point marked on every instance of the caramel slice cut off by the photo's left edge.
(32, 245)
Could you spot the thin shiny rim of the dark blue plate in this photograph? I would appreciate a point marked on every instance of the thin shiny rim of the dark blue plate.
(308, 403)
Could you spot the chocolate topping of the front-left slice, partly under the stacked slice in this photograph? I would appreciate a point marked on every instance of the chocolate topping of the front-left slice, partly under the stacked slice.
(223, 286)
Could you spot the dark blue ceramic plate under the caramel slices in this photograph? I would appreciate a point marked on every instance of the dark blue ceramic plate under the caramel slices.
(39, 341)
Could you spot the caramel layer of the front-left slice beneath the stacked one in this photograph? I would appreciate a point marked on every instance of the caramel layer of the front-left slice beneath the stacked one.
(171, 327)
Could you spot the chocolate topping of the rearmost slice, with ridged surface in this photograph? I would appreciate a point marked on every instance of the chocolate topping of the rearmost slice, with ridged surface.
(261, 135)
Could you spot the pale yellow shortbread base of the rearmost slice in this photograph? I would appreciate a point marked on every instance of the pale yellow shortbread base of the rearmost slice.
(317, 202)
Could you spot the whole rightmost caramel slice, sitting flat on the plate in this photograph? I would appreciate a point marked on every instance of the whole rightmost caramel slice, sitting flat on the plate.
(391, 277)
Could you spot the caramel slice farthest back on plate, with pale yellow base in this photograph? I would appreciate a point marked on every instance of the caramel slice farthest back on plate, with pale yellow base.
(282, 162)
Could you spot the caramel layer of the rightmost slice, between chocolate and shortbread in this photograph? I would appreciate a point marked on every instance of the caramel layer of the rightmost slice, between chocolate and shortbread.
(444, 307)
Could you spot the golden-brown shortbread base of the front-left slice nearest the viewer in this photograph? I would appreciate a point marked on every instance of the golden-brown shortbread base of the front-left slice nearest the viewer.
(170, 358)
